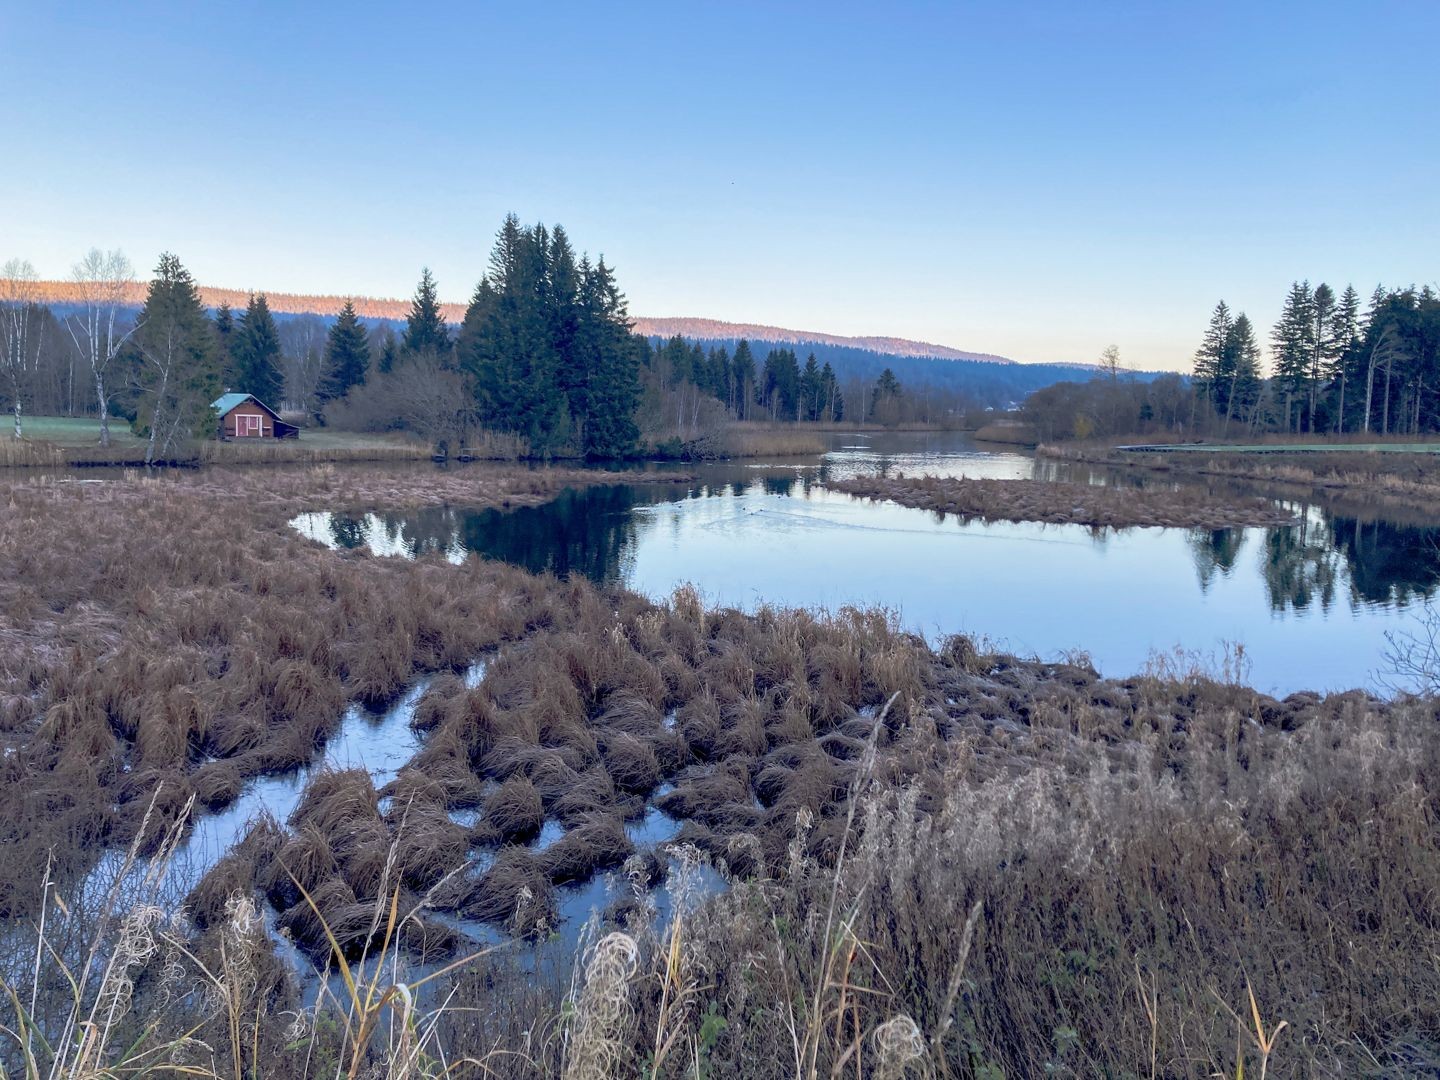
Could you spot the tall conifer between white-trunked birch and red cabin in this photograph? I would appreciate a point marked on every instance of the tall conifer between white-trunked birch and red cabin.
(175, 362)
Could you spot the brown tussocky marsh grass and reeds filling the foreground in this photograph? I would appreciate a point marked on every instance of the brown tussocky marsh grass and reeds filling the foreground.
(938, 862)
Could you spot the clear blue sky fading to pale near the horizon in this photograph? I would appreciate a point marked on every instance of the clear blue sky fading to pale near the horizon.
(1029, 179)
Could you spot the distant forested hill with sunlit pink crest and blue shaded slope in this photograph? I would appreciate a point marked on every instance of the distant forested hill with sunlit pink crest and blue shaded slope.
(981, 377)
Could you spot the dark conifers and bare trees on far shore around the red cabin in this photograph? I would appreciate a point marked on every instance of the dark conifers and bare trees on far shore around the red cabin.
(545, 354)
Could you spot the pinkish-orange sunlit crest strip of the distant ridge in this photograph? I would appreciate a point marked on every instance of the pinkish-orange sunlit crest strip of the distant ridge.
(702, 329)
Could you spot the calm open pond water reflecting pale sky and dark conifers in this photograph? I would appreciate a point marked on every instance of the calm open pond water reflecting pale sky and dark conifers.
(1311, 604)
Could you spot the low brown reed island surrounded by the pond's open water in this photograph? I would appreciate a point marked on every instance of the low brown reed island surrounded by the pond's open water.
(1076, 505)
